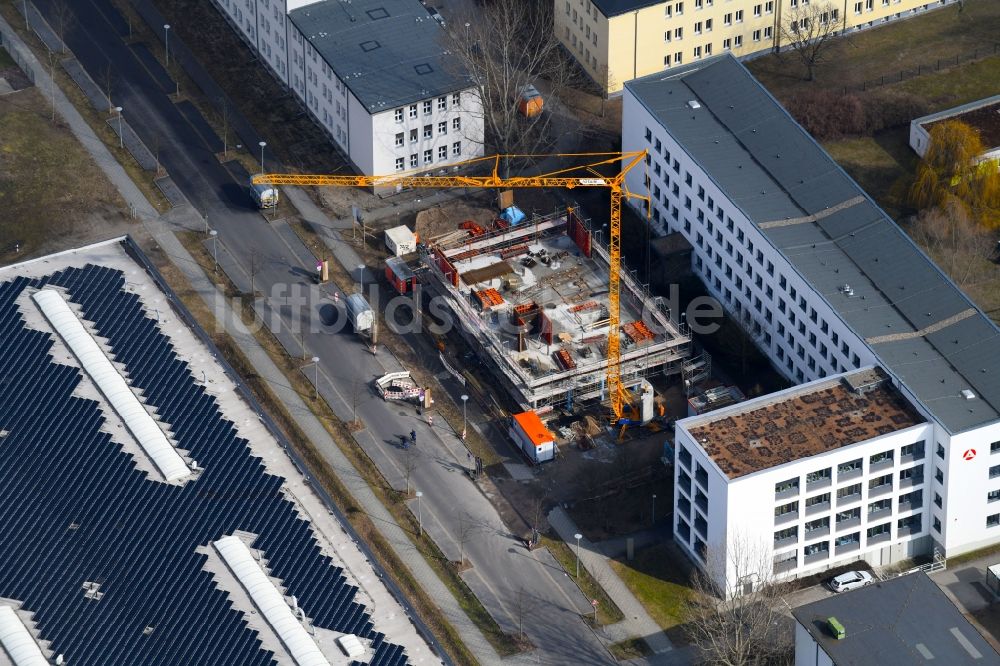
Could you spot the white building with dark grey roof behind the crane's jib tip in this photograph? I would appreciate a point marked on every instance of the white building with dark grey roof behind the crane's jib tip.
(374, 74)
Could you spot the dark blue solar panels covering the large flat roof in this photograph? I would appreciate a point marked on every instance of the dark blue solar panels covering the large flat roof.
(108, 558)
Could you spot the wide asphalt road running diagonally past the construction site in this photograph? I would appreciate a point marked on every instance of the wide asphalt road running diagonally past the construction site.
(519, 588)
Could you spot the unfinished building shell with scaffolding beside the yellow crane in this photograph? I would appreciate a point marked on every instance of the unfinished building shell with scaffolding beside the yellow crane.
(534, 299)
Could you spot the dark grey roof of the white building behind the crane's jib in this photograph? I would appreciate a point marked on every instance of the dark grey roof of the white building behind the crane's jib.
(388, 52)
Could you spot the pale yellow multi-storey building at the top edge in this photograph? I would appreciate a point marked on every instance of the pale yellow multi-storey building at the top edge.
(619, 40)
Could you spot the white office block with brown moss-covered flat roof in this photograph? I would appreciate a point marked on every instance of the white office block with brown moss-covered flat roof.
(826, 472)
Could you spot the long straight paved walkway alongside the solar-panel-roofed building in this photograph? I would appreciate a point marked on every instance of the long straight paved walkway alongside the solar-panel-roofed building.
(162, 233)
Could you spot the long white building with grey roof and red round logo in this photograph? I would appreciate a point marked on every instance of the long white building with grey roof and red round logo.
(821, 278)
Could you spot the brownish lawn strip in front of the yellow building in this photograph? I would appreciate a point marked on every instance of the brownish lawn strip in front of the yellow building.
(923, 40)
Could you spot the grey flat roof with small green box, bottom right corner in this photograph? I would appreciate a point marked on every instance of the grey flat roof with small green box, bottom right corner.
(902, 621)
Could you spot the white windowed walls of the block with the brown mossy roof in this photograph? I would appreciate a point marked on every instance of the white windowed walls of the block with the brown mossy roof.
(870, 500)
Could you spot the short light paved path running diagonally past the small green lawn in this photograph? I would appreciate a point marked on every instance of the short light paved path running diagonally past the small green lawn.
(637, 621)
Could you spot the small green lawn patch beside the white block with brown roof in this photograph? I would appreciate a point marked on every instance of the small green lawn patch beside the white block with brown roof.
(658, 577)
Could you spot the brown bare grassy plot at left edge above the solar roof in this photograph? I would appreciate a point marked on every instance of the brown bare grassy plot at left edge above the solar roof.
(52, 194)
